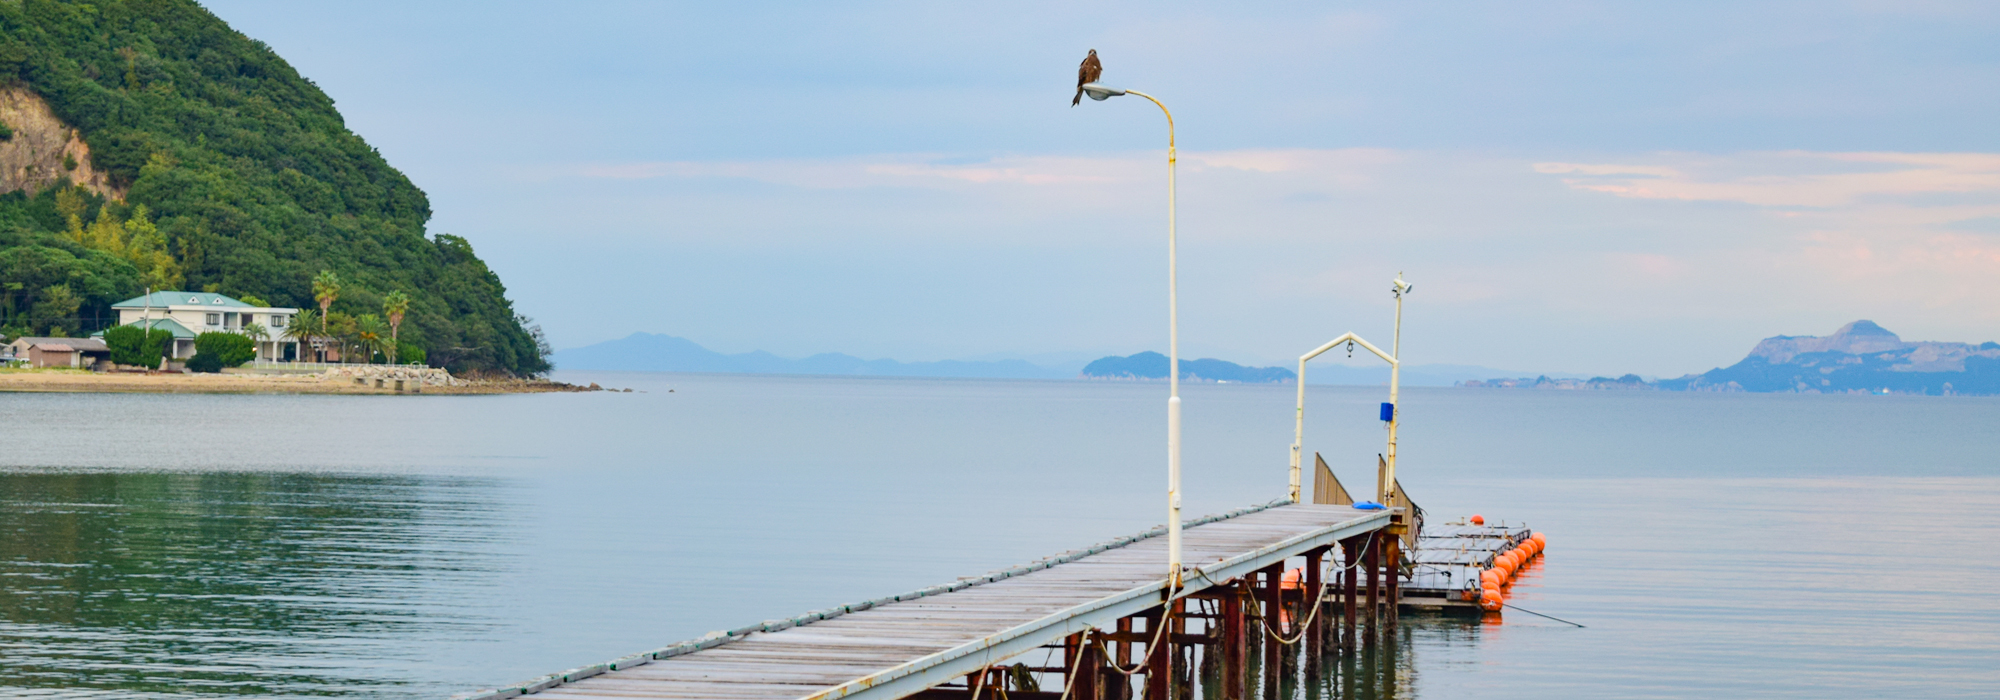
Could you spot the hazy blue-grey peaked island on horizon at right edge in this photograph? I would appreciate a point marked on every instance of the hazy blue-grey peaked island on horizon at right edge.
(1859, 359)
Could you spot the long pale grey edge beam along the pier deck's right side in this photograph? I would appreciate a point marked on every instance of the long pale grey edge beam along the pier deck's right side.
(973, 657)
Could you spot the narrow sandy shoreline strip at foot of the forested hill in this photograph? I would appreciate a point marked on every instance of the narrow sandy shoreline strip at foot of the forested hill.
(173, 383)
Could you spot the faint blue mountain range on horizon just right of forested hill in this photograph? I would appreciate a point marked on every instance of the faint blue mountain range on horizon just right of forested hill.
(655, 353)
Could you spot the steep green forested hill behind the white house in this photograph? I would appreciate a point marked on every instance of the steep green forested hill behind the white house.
(149, 145)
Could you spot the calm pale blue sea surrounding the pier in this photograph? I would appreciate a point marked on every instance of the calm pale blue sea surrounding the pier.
(393, 547)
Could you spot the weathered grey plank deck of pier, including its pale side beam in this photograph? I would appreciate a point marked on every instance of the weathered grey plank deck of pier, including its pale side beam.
(895, 649)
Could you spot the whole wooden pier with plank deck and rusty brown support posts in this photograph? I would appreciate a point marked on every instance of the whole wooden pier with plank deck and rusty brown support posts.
(1109, 617)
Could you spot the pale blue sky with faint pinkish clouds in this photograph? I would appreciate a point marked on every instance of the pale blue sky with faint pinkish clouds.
(1571, 187)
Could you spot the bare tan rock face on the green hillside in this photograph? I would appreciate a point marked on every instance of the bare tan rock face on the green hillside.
(43, 149)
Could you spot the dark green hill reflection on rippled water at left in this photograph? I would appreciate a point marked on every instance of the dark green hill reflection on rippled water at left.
(237, 585)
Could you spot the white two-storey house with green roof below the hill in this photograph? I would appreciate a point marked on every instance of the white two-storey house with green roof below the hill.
(189, 315)
